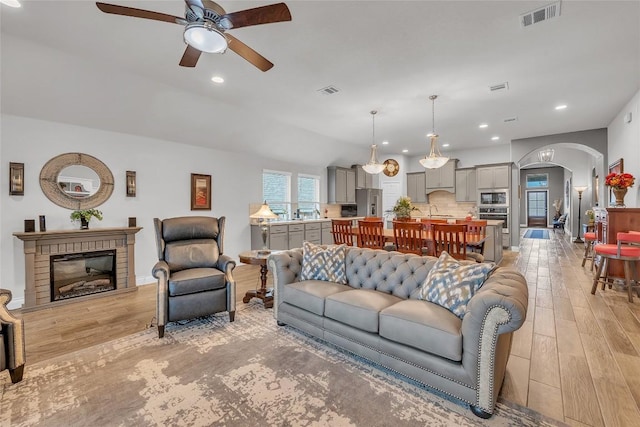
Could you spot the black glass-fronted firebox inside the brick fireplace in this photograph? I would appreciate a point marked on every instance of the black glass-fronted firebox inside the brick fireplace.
(79, 274)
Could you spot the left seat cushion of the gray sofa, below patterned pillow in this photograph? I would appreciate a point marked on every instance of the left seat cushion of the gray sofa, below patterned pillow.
(310, 294)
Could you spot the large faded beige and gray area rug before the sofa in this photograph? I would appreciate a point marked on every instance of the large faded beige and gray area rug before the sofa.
(212, 372)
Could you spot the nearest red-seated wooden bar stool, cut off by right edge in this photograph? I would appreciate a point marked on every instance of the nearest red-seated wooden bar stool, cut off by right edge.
(628, 253)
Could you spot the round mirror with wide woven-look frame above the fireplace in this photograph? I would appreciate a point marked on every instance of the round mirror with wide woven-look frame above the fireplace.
(76, 181)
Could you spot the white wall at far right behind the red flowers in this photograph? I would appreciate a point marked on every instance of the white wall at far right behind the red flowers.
(624, 142)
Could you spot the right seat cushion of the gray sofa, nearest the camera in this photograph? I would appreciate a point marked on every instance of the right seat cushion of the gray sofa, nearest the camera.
(424, 326)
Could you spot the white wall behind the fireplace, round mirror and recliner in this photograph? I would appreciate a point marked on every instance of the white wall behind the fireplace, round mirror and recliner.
(163, 187)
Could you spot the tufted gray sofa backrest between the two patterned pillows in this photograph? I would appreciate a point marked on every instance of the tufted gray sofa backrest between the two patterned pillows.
(391, 272)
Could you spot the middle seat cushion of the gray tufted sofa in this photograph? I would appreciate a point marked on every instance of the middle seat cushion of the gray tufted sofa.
(359, 308)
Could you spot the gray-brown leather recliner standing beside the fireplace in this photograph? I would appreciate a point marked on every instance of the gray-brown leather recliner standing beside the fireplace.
(194, 276)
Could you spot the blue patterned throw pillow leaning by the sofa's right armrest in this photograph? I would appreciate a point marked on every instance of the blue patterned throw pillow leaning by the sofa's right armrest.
(451, 284)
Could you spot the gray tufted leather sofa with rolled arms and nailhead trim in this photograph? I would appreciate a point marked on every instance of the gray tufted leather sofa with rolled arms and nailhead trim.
(378, 316)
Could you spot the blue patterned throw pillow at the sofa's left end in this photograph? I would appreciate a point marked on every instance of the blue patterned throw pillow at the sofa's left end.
(326, 264)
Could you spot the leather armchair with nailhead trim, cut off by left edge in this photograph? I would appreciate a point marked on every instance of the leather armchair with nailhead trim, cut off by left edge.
(12, 353)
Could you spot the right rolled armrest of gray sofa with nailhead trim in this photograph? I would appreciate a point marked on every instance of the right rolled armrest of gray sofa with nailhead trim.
(499, 307)
